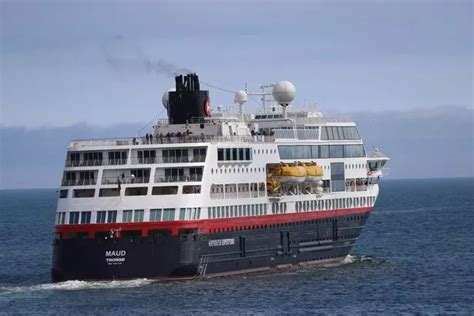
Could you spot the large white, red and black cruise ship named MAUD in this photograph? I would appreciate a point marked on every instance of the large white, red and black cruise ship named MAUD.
(205, 195)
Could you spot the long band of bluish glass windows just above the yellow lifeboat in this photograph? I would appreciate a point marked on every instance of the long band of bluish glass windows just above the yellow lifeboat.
(320, 151)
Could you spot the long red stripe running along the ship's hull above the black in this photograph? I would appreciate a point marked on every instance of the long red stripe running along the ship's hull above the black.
(210, 225)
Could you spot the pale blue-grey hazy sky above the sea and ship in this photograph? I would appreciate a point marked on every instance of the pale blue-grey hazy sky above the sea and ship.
(100, 65)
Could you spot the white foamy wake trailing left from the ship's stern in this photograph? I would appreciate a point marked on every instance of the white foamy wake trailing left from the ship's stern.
(76, 285)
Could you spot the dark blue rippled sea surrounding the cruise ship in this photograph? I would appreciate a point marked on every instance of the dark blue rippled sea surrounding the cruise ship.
(416, 254)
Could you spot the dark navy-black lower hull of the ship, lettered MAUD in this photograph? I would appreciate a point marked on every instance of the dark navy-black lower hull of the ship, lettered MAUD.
(201, 255)
